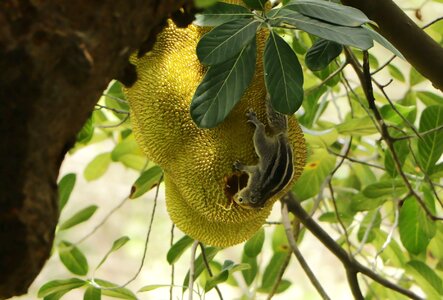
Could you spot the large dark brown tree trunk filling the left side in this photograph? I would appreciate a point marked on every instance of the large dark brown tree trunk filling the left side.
(56, 57)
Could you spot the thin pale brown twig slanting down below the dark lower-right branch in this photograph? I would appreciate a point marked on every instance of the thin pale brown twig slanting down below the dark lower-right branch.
(298, 255)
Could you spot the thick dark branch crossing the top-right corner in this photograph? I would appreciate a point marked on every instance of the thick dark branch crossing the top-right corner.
(419, 49)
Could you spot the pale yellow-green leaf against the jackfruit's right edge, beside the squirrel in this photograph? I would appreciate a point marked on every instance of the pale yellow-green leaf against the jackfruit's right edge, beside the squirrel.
(317, 168)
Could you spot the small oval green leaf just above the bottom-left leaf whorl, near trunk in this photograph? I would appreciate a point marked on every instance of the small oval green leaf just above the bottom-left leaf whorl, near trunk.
(73, 259)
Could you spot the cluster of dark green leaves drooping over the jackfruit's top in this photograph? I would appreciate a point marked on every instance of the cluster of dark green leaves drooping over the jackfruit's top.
(229, 50)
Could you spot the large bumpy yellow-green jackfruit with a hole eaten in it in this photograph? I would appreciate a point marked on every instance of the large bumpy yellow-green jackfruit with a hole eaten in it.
(197, 163)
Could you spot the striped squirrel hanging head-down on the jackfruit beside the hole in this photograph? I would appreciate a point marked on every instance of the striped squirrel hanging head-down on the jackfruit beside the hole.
(275, 169)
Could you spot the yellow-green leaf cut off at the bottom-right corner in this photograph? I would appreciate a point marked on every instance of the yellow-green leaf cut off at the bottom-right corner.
(426, 279)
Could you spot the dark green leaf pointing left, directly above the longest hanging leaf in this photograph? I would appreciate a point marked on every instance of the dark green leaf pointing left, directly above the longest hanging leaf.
(226, 41)
